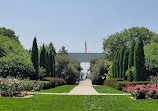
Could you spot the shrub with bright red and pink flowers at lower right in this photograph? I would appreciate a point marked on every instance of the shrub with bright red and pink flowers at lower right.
(142, 91)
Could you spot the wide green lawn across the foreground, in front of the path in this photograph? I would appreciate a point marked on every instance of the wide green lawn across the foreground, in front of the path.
(76, 103)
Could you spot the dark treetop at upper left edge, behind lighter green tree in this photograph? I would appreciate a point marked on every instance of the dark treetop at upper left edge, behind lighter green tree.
(9, 33)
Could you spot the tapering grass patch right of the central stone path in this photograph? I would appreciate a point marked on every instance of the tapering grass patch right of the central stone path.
(106, 89)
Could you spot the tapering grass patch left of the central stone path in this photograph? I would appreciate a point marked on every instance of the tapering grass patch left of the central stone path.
(59, 89)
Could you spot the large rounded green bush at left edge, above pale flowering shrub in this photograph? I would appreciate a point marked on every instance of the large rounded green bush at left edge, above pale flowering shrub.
(16, 65)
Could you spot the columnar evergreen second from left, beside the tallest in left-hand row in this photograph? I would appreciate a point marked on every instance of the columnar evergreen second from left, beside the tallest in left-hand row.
(43, 57)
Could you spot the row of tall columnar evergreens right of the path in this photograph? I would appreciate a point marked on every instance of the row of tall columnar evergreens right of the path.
(129, 64)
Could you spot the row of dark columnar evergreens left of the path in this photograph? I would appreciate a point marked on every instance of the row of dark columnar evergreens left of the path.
(43, 59)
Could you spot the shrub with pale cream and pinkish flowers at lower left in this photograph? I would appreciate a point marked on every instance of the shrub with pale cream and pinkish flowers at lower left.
(14, 86)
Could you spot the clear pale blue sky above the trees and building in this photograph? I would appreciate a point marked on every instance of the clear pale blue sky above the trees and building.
(71, 22)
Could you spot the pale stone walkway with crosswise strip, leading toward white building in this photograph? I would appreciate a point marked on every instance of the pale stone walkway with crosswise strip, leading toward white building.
(84, 88)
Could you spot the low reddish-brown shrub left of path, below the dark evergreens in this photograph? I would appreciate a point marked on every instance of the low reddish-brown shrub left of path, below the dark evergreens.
(55, 81)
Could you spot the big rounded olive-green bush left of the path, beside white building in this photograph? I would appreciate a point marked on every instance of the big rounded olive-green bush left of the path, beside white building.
(67, 68)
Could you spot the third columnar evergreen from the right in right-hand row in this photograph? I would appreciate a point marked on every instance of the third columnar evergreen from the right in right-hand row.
(125, 63)
